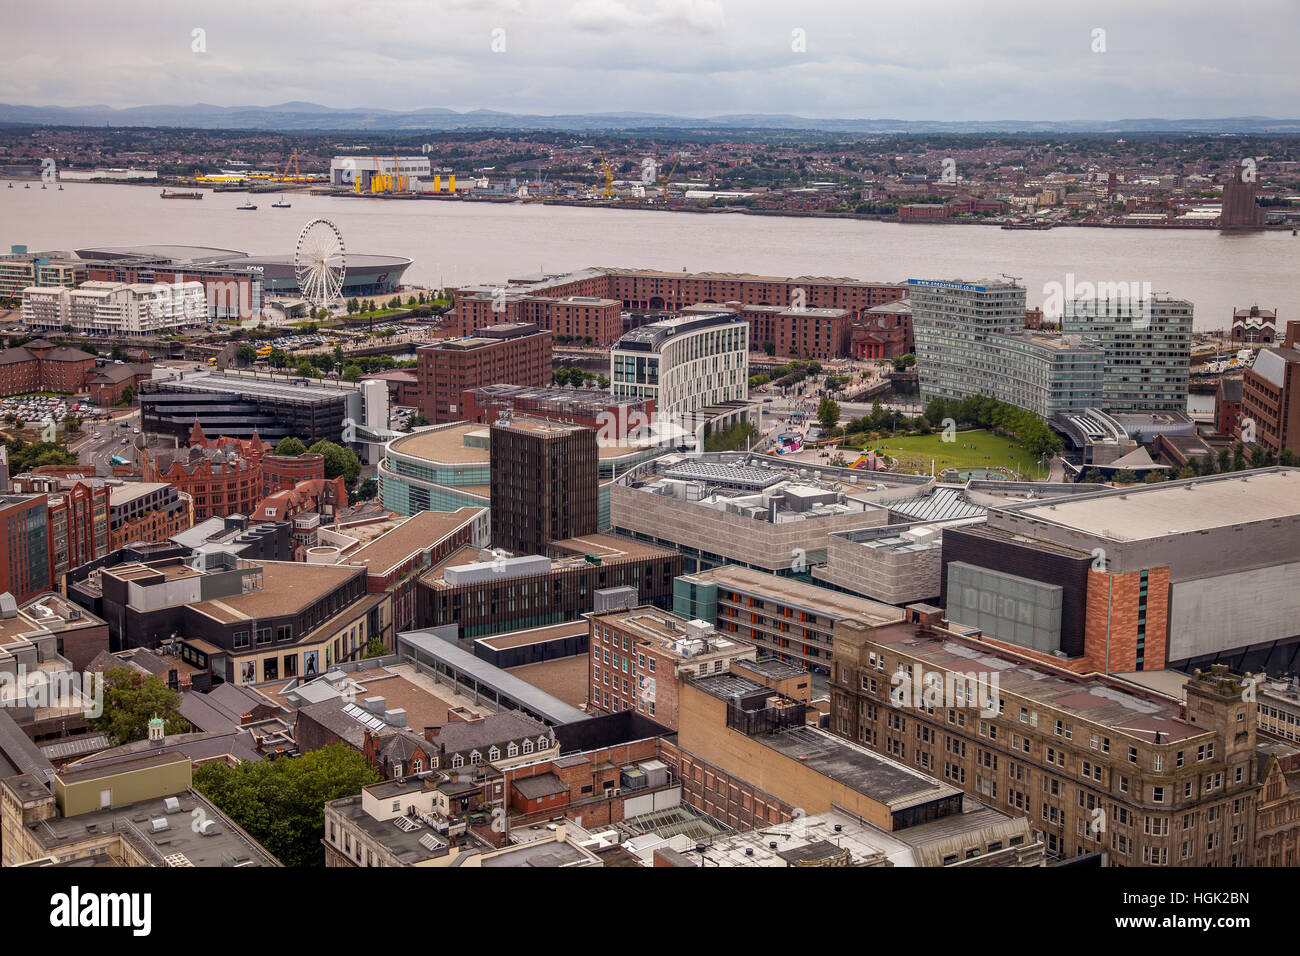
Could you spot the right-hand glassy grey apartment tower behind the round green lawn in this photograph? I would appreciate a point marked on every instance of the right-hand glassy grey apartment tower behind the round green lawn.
(1149, 348)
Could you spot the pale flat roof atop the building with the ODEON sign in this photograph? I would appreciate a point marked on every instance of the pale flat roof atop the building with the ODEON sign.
(1172, 508)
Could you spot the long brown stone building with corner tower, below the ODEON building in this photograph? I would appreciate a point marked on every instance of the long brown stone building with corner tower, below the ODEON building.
(1095, 764)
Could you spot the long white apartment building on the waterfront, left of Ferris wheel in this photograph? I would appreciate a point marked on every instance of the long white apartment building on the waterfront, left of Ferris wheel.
(116, 309)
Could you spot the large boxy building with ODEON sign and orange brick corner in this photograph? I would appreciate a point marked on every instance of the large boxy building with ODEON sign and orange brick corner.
(1177, 574)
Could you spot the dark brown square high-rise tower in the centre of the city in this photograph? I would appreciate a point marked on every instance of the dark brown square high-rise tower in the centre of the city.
(544, 483)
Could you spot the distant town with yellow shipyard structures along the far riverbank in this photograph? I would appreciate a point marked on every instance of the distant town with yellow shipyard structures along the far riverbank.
(1177, 180)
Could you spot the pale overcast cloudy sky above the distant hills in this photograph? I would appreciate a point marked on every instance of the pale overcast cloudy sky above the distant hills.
(868, 59)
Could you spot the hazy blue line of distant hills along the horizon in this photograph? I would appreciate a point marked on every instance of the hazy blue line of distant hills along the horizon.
(311, 116)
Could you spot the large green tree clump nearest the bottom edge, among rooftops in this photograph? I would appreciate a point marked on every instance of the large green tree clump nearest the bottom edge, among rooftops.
(280, 803)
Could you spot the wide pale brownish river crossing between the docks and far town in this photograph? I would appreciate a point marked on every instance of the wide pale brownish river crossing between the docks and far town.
(478, 243)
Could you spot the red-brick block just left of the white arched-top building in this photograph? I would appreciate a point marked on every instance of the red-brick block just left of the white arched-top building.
(512, 353)
